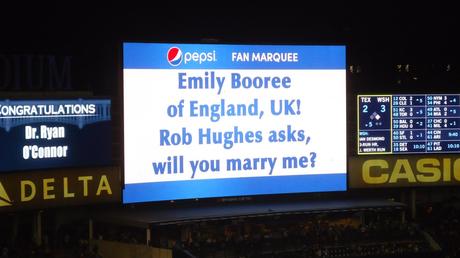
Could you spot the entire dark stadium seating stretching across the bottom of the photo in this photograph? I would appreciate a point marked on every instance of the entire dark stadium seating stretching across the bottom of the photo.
(336, 234)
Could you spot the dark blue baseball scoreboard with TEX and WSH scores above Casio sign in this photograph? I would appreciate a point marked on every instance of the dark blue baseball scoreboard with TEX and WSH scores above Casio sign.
(408, 124)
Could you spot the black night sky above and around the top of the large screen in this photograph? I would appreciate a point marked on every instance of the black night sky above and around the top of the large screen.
(376, 34)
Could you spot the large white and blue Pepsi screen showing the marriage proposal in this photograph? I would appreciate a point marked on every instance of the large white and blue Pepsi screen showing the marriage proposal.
(206, 121)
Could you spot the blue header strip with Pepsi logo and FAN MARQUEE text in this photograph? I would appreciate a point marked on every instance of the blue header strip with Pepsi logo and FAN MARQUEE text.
(199, 56)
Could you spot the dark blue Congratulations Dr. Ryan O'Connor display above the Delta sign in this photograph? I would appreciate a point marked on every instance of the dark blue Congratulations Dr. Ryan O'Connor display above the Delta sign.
(39, 134)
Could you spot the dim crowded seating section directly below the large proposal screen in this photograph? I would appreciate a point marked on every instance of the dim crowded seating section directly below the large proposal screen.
(304, 236)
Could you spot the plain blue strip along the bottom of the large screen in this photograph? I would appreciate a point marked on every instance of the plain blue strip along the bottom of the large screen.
(177, 190)
